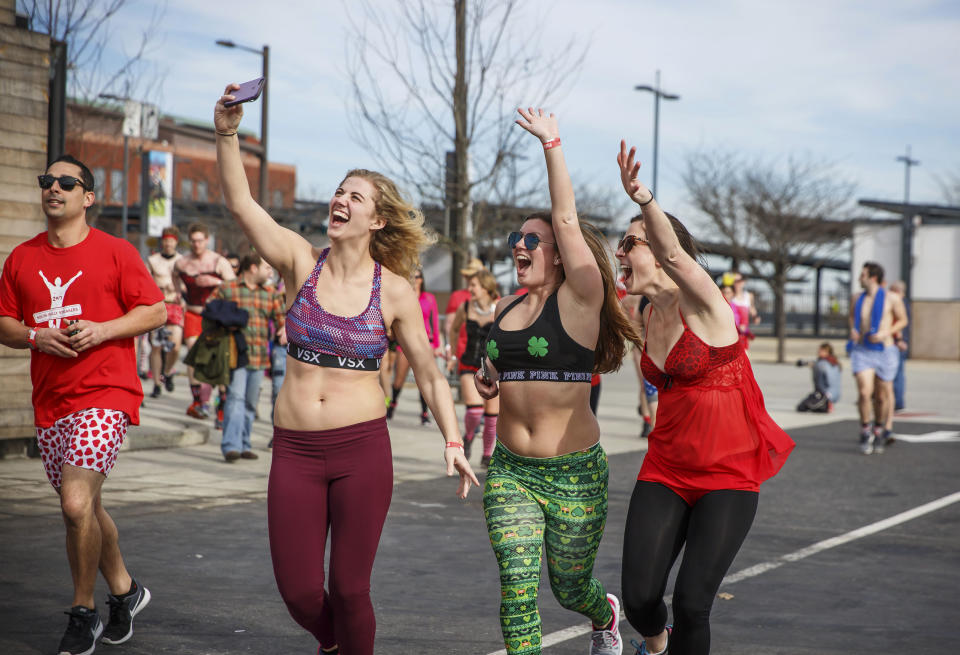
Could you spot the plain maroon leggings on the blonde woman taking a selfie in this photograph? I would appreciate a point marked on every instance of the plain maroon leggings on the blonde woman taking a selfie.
(339, 481)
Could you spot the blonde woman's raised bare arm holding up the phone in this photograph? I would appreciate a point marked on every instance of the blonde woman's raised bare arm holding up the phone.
(278, 245)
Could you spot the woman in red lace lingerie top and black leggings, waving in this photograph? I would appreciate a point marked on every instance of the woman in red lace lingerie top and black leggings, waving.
(713, 445)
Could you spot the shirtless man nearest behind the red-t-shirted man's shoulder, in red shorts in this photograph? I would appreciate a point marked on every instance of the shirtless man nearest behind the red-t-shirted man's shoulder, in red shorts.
(165, 341)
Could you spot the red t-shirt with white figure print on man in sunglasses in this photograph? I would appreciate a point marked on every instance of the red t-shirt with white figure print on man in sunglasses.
(99, 279)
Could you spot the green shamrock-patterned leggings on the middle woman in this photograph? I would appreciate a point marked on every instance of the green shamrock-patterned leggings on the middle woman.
(560, 502)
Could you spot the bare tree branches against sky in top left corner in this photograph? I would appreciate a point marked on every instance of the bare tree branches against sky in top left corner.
(85, 26)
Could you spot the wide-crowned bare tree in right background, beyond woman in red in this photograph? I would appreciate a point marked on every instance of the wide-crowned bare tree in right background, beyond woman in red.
(768, 212)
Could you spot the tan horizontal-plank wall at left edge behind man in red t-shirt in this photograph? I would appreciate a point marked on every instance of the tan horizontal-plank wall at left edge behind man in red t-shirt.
(24, 71)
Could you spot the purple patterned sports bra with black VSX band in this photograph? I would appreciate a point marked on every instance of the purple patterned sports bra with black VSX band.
(318, 337)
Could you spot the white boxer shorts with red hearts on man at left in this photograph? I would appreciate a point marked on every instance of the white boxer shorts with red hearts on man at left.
(89, 439)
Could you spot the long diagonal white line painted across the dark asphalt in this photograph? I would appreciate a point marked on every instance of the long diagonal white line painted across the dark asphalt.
(797, 555)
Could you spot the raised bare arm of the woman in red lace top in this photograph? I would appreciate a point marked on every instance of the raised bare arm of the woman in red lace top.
(700, 293)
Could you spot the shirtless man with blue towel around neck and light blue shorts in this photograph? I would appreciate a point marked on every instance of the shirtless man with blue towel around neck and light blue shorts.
(874, 318)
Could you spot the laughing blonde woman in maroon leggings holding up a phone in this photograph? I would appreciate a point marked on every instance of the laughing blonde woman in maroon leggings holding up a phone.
(332, 468)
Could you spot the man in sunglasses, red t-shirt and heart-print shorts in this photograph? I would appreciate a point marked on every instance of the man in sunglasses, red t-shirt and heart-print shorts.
(77, 297)
